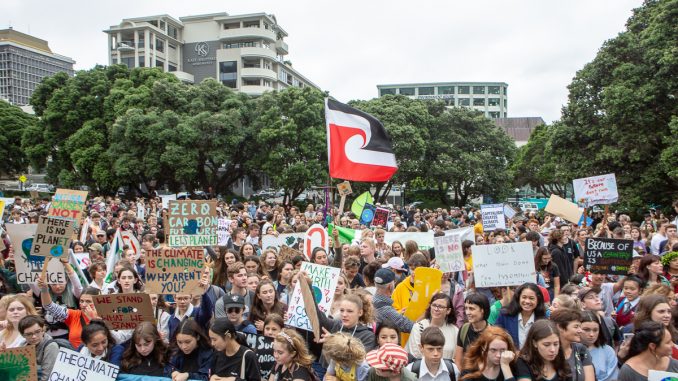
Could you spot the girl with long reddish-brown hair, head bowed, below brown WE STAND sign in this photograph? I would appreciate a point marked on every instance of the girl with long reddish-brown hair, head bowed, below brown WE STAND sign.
(145, 354)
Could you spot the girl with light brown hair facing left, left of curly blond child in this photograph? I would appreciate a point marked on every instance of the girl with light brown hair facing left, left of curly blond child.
(293, 361)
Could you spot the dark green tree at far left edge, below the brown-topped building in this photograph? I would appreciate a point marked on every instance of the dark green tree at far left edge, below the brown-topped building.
(13, 123)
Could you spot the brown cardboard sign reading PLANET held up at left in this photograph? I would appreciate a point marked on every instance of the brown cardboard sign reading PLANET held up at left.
(53, 237)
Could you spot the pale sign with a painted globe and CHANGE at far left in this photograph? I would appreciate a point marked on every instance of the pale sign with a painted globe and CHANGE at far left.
(28, 266)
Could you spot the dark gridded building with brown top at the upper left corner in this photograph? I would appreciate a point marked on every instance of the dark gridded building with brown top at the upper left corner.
(24, 61)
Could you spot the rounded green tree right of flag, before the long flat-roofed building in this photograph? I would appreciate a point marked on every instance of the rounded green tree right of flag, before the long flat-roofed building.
(469, 155)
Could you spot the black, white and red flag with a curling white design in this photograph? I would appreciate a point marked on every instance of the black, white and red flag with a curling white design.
(358, 147)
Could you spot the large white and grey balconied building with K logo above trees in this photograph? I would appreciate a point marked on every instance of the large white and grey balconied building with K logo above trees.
(244, 52)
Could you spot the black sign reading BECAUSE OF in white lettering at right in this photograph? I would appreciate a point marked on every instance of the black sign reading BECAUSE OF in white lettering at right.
(608, 256)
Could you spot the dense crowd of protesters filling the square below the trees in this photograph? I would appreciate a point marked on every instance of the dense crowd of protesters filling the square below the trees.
(568, 324)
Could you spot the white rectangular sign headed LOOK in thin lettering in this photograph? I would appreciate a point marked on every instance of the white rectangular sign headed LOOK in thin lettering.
(506, 264)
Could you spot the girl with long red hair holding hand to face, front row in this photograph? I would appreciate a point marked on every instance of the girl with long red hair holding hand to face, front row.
(490, 357)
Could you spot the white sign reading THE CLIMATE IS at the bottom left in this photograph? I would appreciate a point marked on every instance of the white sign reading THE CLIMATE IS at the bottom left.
(71, 365)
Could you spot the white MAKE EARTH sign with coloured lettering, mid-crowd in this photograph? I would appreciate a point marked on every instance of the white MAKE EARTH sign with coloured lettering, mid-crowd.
(324, 280)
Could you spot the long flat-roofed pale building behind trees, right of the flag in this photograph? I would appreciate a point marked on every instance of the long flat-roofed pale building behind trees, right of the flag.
(487, 97)
